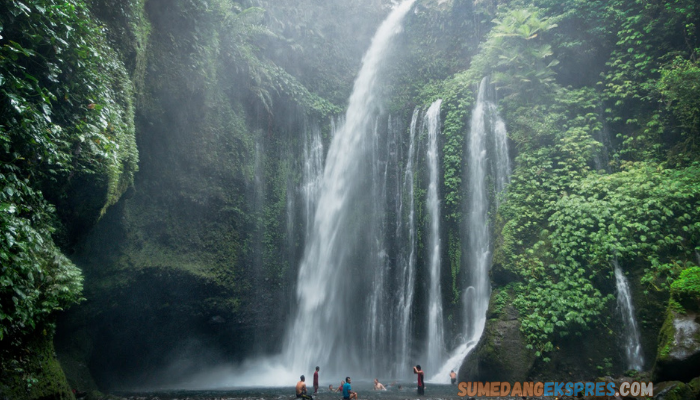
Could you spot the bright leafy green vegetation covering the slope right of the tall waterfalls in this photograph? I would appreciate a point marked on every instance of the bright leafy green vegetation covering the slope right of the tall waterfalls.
(573, 205)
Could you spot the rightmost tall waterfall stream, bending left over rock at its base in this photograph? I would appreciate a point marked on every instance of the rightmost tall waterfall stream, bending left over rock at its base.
(487, 155)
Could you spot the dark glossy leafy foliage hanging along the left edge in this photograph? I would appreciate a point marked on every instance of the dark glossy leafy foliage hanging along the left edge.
(66, 112)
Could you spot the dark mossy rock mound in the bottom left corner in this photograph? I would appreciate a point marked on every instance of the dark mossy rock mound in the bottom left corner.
(33, 372)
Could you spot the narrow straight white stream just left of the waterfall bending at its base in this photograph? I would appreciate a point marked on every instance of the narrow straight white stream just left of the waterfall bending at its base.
(436, 347)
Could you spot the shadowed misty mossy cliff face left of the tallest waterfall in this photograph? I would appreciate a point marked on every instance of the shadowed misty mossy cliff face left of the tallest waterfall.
(193, 265)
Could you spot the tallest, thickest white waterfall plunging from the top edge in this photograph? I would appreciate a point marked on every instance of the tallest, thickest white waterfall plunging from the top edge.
(340, 258)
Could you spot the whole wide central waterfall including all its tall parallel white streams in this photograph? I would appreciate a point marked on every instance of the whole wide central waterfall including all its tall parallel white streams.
(360, 307)
